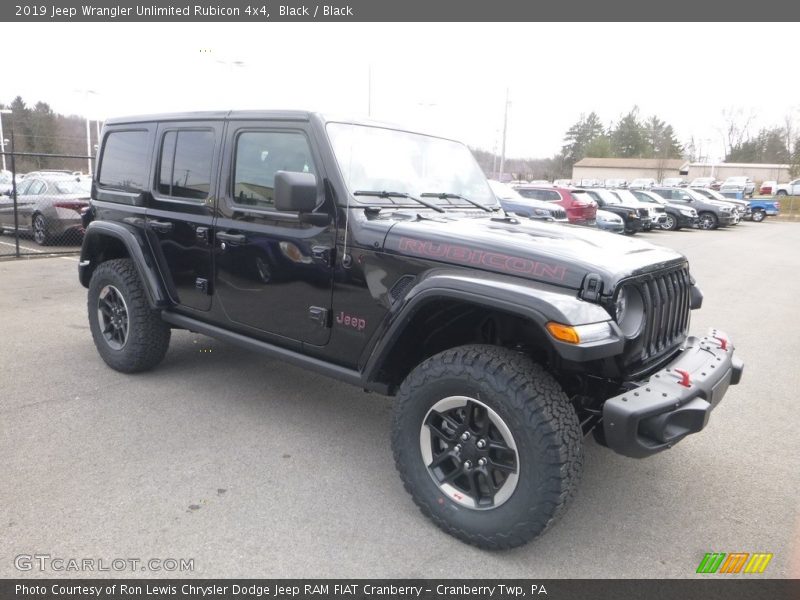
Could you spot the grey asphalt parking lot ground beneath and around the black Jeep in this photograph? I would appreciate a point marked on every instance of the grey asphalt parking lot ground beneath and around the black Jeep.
(254, 468)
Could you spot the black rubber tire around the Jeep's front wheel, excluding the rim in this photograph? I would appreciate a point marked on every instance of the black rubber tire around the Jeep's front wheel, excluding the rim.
(538, 414)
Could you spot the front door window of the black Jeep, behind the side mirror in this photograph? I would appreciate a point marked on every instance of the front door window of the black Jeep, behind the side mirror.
(261, 154)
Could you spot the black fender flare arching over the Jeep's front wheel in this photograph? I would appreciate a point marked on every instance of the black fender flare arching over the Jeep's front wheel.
(534, 301)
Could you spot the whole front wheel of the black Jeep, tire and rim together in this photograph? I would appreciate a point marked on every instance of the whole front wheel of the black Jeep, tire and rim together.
(487, 444)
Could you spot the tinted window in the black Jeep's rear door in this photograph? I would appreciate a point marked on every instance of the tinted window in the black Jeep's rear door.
(185, 166)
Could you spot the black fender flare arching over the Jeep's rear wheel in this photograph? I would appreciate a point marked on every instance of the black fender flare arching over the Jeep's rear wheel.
(138, 250)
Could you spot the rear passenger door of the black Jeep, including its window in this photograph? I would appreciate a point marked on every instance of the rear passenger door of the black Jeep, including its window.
(180, 211)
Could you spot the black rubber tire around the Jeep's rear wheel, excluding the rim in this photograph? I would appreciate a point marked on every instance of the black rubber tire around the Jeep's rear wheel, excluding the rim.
(147, 337)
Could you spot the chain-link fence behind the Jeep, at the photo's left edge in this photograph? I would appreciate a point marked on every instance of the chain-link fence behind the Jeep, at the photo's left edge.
(41, 203)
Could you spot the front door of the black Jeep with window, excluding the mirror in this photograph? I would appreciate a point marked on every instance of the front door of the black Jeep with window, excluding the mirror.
(273, 273)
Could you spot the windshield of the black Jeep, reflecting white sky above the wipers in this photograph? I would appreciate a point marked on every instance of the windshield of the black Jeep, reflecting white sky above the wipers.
(379, 159)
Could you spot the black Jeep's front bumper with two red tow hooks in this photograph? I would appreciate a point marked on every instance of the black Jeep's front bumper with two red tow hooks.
(675, 401)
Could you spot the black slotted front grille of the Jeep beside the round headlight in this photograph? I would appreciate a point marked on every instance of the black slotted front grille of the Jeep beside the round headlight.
(666, 297)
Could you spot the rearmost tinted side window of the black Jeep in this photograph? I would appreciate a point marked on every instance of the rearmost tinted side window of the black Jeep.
(124, 161)
